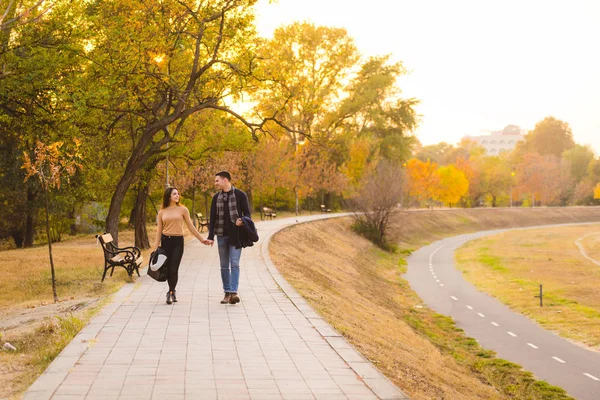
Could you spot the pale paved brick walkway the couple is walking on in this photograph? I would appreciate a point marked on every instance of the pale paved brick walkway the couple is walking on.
(272, 345)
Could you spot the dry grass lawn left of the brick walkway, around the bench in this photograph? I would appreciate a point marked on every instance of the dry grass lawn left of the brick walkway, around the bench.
(29, 318)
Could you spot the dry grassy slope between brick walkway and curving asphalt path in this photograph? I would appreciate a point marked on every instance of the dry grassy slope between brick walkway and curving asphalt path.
(360, 291)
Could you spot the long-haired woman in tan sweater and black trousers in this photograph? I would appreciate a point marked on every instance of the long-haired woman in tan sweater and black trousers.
(169, 235)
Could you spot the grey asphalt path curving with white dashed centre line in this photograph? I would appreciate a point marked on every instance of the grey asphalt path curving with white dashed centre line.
(433, 276)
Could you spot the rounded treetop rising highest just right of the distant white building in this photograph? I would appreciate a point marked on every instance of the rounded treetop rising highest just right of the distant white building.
(550, 136)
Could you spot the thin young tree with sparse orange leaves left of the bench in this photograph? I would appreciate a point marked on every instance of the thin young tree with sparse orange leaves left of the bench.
(50, 164)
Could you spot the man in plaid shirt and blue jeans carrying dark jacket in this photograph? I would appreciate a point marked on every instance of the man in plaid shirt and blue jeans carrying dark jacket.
(228, 207)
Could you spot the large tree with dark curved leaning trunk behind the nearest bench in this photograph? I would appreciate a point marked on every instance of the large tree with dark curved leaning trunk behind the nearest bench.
(163, 62)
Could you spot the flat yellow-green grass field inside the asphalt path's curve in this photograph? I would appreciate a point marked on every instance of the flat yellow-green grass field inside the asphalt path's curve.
(511, 266)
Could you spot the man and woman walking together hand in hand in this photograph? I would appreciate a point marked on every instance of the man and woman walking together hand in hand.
(229, 211)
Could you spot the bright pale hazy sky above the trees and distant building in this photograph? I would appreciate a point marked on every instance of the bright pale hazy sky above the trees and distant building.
(475, 65)
